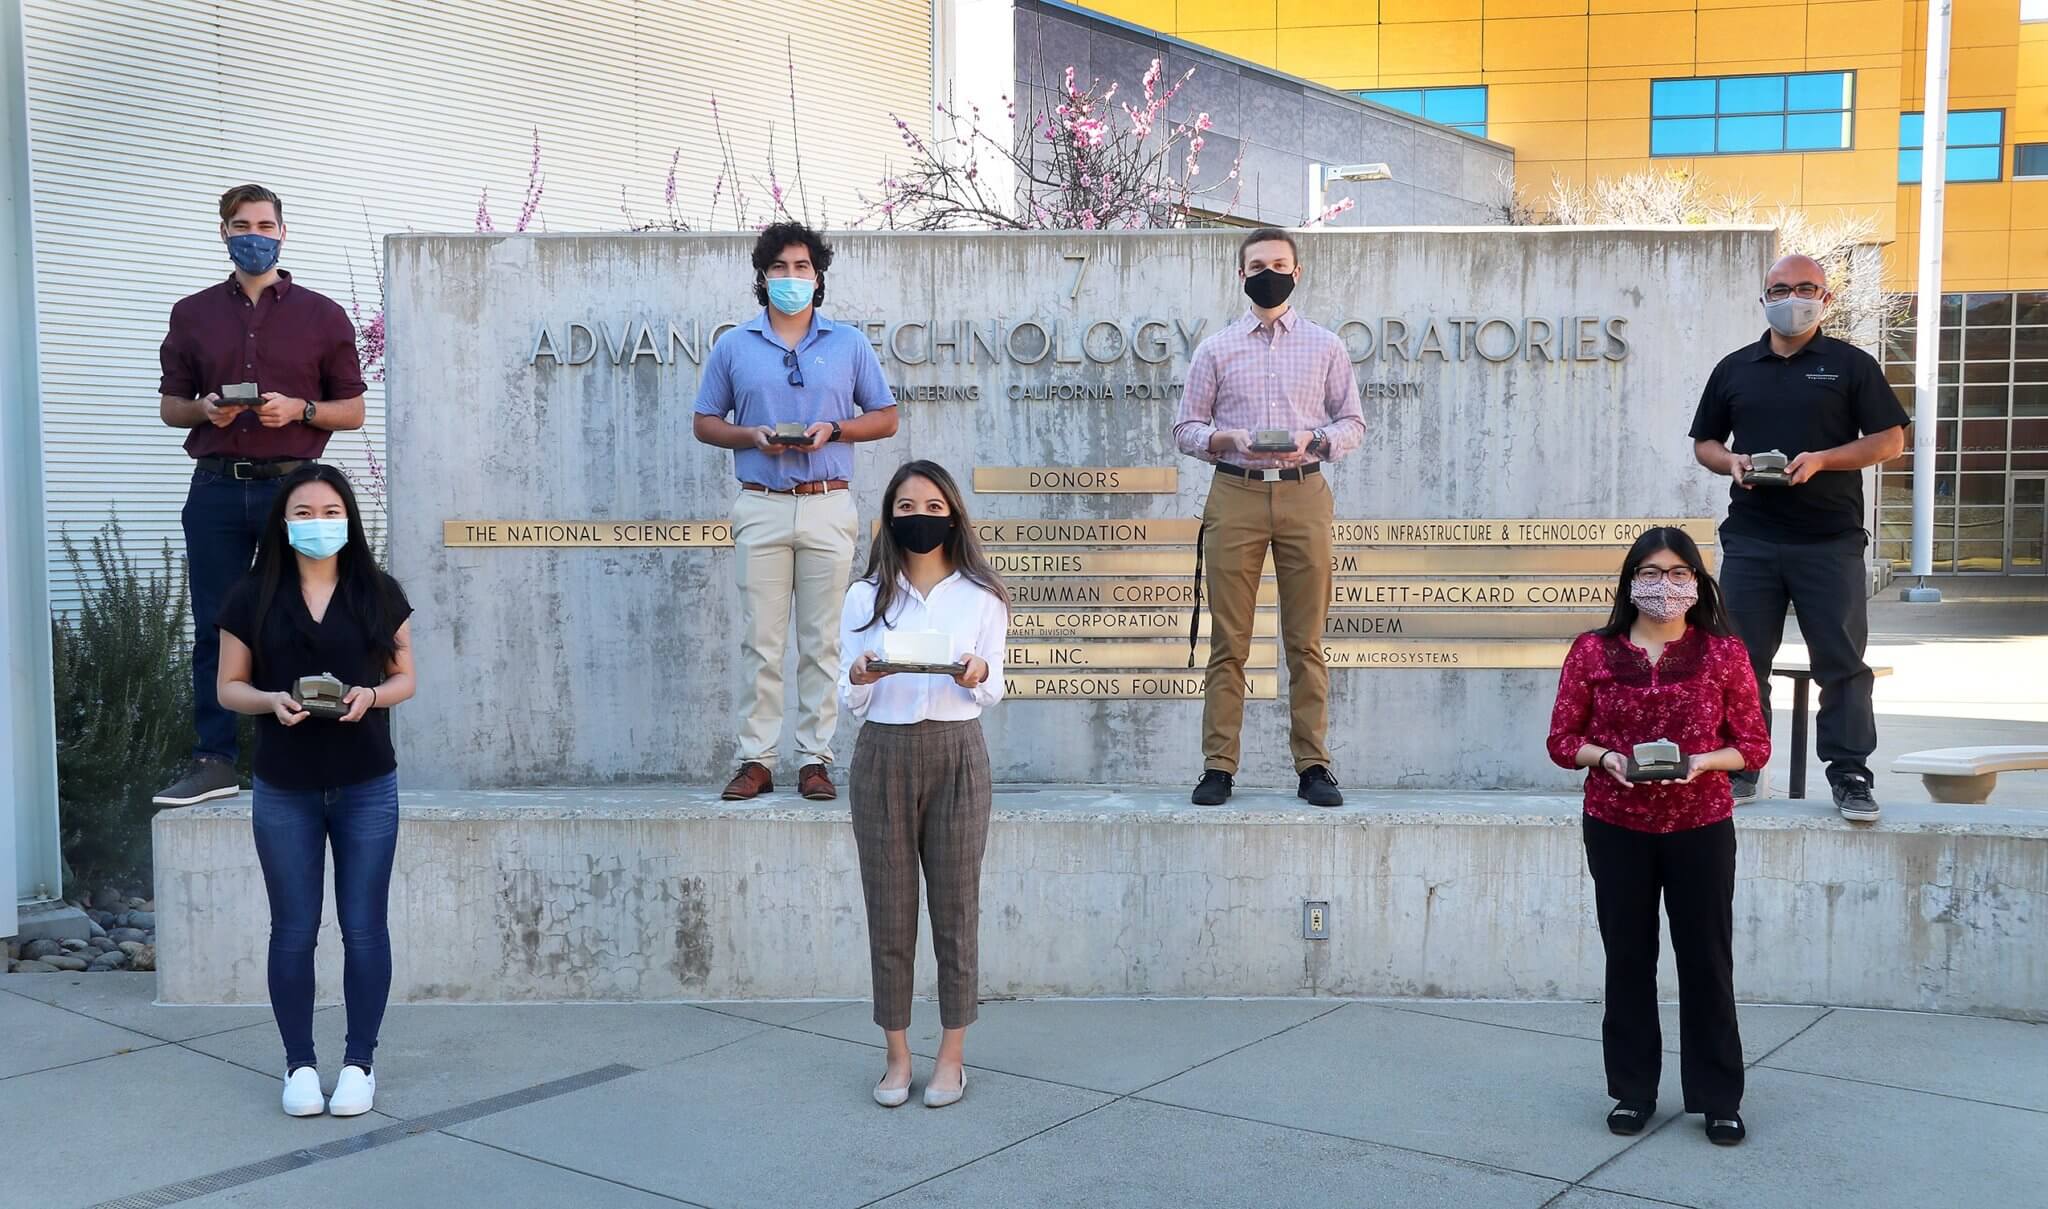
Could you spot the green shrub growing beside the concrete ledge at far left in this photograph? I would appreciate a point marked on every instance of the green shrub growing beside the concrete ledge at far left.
(124, 694)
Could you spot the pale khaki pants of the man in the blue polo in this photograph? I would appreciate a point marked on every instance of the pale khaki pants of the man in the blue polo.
(792, 554)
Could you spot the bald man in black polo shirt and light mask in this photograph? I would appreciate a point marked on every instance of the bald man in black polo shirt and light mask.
(1830, 411)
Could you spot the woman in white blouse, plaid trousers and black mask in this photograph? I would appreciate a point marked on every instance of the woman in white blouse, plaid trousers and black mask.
(921, 786)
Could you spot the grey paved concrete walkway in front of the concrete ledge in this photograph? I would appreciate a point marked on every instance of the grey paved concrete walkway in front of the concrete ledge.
(1117, 1103)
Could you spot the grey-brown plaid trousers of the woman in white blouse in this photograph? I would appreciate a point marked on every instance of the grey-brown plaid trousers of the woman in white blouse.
(921, 796)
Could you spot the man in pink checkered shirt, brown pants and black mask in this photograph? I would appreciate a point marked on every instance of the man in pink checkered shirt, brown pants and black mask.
(1279, 374)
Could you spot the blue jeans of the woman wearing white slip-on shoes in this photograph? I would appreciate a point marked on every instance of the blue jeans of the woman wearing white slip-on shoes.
(294, 829)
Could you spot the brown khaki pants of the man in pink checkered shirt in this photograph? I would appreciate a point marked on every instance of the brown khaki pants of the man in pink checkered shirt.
(1242, 519)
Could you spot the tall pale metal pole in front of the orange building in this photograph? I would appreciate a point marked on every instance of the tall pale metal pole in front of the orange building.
(1928, 327)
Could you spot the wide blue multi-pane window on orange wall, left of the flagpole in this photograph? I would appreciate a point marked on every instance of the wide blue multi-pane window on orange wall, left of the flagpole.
(1738, 116)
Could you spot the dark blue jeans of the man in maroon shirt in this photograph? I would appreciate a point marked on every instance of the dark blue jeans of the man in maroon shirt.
(222, 528)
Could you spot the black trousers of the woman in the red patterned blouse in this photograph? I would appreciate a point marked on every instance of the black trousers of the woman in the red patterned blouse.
(1697, 876)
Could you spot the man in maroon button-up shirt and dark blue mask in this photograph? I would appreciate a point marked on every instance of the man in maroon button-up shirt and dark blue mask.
(298, 351)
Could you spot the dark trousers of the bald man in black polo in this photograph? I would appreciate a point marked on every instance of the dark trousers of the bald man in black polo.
(1826, 585)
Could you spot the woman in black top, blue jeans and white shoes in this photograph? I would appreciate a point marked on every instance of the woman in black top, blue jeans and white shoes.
(318, 606)
